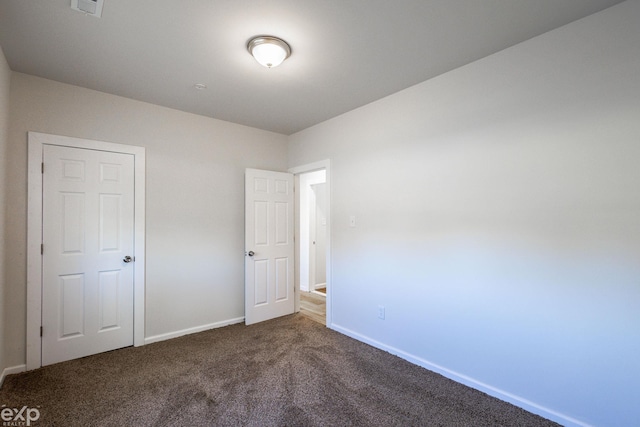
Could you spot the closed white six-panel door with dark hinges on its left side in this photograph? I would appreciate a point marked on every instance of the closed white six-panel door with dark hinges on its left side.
(88, 241)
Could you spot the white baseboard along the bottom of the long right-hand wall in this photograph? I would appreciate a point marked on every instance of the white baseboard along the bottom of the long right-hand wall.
(468, 381)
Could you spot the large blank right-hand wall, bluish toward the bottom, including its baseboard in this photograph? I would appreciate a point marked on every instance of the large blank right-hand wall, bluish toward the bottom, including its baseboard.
(498, 220)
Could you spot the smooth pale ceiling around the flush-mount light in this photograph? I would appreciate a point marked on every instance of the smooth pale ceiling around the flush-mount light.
(346, 53)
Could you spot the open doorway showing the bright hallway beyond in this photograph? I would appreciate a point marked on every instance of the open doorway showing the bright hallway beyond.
(312, 241)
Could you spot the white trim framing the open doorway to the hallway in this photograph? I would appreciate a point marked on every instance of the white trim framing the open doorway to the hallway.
(296, 171)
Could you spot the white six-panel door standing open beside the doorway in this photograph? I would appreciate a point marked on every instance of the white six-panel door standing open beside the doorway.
(269, 245)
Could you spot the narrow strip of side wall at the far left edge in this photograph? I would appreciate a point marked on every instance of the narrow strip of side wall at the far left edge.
(5, 81)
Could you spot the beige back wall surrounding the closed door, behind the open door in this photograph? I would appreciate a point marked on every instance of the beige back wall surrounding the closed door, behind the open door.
(195, 202)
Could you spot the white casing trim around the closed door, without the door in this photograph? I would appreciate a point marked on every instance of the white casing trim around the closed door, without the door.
(36, 142)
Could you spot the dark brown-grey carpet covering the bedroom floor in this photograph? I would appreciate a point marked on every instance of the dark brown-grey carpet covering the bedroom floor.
(289, 371)
